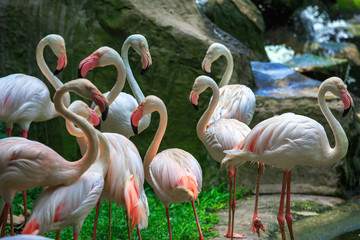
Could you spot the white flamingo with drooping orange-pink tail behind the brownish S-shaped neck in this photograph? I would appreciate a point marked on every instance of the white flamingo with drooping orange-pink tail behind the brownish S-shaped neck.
(124, 179)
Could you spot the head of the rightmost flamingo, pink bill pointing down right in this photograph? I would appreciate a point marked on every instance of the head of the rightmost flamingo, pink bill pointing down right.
(336, 86)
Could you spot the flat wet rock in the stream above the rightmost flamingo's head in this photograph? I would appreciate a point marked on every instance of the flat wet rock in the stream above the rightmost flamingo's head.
(317, 67)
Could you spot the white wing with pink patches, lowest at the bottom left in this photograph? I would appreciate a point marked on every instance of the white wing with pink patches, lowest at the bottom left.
(63, 206)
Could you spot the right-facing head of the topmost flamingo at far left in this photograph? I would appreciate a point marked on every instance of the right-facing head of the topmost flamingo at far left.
(57, 44)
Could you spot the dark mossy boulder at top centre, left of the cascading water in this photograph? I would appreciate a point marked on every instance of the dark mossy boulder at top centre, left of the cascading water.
(241, 19)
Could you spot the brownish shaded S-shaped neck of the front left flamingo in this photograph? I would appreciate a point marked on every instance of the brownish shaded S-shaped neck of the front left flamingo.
(91, 154)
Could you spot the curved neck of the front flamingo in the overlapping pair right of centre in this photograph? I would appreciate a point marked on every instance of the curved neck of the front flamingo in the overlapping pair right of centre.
(201, 126)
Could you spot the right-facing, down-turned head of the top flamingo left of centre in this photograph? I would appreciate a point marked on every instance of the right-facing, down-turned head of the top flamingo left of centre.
(141, 47)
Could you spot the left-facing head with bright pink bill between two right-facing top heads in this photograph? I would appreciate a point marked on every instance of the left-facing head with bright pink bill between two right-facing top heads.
(101, 57)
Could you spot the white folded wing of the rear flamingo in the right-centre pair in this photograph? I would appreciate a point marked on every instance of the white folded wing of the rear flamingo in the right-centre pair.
(235, 102)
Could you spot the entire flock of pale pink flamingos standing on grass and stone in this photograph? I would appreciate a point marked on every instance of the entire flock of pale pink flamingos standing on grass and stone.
(111, 167)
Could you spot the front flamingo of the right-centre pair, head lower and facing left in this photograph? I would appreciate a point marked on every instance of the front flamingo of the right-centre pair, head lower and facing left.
(222, 134)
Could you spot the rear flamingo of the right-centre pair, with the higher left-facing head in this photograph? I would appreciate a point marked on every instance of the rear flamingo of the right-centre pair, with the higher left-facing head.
(236, 101)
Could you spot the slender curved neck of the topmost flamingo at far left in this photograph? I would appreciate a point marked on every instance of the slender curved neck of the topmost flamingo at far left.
(55, 82)
